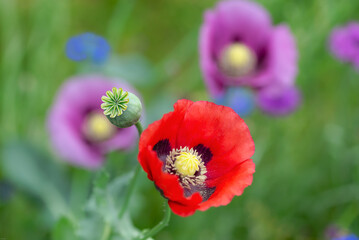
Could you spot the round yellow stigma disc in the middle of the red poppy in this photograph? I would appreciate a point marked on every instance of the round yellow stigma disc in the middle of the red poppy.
(187, 164)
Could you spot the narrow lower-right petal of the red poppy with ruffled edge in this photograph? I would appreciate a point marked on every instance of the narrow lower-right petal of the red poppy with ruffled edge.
(230, 185)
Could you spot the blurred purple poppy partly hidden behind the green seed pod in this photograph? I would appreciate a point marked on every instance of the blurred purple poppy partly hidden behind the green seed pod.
(80, 132)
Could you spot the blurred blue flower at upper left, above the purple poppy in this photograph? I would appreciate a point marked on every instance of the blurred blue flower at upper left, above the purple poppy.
(88, 46)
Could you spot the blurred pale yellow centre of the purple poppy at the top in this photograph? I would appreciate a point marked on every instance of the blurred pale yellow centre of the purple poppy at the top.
(237, 60)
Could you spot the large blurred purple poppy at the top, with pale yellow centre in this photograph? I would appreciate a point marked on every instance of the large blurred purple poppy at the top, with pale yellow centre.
(240, 46)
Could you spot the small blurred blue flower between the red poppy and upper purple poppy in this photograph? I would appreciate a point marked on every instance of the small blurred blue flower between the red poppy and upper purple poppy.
(241, 100)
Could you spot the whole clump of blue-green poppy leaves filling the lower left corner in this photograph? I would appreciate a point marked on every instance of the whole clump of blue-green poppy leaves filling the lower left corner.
(38, 176)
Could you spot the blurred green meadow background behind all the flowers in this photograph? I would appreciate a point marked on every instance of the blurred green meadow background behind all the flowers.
(307, 174)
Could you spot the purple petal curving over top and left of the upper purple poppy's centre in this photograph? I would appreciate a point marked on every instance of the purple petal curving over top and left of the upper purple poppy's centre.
(230, 21)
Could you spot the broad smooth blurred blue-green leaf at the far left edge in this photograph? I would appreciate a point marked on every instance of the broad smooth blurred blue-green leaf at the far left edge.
(30, 170)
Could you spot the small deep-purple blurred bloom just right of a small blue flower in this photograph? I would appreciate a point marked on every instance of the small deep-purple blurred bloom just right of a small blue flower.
(278, 100)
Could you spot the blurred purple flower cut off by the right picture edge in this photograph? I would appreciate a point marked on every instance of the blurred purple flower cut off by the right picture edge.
(344, 43)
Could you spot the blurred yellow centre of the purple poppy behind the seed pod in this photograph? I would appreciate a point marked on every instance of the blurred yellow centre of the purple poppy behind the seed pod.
(97, 128)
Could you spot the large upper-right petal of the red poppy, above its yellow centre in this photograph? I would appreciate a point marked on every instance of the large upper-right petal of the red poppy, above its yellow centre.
(220, 129)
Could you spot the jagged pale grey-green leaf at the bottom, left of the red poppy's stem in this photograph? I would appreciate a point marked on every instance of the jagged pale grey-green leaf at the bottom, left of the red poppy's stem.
(102, 210)
